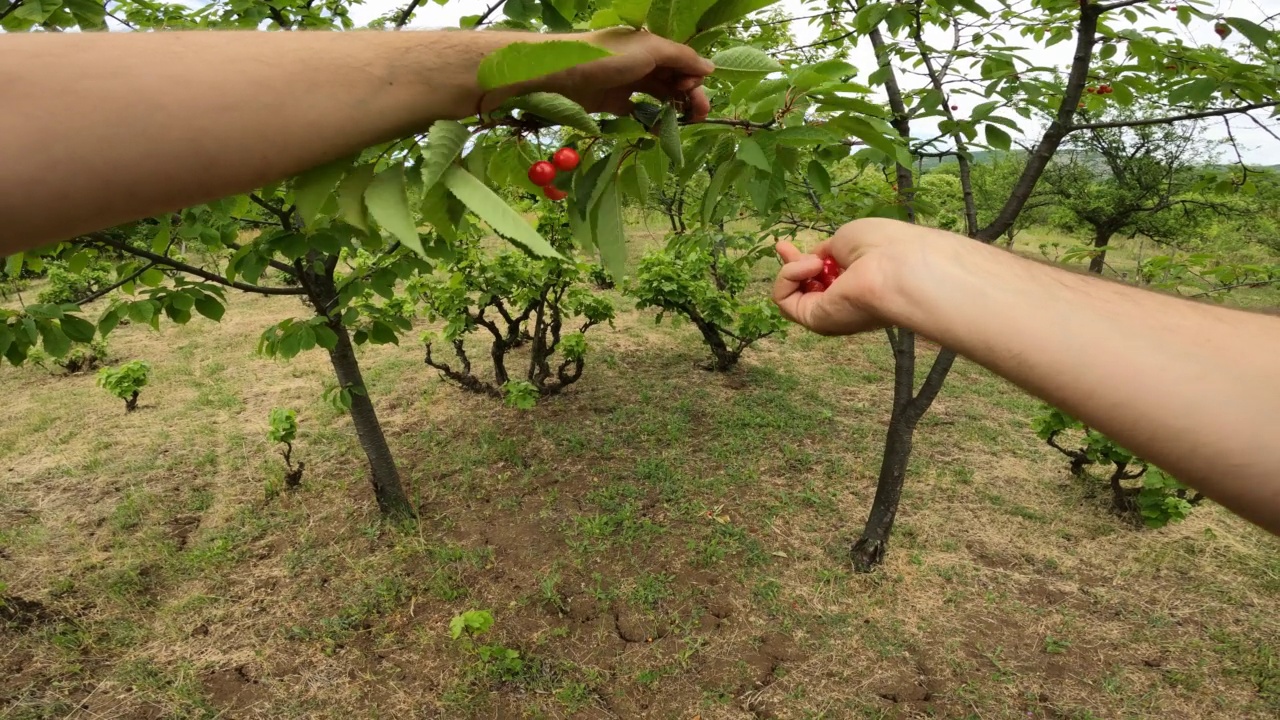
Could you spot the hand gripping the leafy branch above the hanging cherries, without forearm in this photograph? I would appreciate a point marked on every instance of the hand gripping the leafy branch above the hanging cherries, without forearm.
(642, 62)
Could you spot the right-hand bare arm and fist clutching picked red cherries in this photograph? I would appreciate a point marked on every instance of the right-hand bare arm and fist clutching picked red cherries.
(1191, 388)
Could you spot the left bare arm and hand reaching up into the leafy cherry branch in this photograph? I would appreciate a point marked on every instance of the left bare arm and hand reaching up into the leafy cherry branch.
(116, 127)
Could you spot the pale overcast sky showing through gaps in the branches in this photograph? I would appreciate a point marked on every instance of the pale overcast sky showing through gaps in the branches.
(1259, 147)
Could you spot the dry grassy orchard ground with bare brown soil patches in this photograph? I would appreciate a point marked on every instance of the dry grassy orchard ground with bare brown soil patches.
(656, 543)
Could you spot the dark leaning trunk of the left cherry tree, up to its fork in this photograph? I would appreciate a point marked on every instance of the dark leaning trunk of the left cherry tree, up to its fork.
(385, 477)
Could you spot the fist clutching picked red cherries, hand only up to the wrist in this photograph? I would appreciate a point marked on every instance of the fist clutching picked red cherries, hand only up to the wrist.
(874, 253)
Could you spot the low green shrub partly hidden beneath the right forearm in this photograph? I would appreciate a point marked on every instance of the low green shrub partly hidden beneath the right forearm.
(1156, 502)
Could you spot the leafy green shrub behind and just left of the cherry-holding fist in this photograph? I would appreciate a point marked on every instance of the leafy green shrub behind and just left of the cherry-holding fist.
(703, 277)
